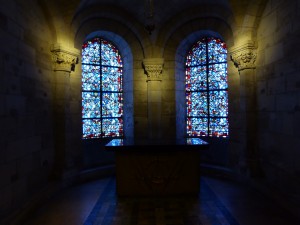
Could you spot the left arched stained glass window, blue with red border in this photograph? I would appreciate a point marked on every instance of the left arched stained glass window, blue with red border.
(102, 93)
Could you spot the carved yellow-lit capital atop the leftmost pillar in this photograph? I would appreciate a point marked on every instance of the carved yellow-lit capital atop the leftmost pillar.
(64, 59)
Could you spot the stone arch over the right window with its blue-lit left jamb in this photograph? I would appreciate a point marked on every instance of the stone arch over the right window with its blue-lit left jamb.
(178, 43)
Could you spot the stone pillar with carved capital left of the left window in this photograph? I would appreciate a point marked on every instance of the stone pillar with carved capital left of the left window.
(64, 61)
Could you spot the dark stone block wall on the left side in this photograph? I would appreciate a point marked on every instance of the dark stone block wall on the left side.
(26, 118)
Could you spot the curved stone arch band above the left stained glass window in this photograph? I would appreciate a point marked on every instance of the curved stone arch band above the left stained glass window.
(112, 19)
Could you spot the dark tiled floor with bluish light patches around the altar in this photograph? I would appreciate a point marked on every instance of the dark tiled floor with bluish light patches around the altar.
(220, 202)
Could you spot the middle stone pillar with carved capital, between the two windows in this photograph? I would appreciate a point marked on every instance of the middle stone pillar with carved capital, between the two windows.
(153, 68)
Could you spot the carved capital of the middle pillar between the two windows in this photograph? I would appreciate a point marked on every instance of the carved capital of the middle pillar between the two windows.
(153, 68)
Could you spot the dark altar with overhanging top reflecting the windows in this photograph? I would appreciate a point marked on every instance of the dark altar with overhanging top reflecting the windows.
(157, 167)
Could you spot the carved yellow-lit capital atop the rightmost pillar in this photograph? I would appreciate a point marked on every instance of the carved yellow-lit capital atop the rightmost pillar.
(244, 56)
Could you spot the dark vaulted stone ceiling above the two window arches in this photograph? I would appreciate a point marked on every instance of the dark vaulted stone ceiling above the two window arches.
(242, 16)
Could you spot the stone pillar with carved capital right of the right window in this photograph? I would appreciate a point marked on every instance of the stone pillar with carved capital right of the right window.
(244, 58)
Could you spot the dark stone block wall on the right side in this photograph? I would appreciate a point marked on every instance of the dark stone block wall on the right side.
(278, 96)
